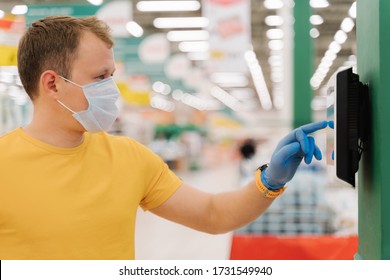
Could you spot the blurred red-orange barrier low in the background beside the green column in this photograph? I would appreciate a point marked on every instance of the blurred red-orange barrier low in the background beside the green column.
(313, 247)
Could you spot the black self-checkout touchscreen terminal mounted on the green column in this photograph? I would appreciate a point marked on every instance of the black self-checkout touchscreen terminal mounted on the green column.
(348, 108)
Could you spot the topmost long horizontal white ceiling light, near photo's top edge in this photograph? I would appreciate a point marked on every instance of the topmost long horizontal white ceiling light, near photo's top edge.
(168, 6)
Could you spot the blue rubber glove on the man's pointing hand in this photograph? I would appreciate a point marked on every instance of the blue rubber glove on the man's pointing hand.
(290, 151)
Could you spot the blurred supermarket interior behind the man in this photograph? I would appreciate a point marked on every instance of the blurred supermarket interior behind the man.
(209, 86)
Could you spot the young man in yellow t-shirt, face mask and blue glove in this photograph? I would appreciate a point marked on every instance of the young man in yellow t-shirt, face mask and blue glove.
(71, 191)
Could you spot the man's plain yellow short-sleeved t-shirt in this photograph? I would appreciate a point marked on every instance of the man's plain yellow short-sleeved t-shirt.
(77, 203)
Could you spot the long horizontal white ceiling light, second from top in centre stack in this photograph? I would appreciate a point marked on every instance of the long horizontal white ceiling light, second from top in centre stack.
(181, 22)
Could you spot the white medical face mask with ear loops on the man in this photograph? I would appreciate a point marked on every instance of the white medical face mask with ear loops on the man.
(102, 110)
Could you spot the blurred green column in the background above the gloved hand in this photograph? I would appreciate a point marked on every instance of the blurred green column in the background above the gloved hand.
(303, 64)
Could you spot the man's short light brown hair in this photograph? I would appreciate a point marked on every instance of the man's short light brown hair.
(52, 43)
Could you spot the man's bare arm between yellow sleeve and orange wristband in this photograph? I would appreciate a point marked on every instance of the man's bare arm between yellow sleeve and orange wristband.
(214, 213)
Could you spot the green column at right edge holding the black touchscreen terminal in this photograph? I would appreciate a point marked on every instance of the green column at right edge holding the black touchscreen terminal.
(373, 53)
